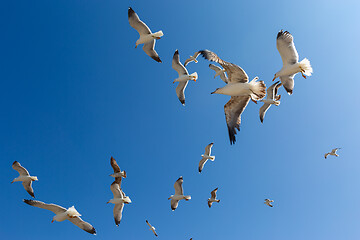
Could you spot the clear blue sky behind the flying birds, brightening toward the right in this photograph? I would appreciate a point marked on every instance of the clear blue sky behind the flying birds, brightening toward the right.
(74, 91)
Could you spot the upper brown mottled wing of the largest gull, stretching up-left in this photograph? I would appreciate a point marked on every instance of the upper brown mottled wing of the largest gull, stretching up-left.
(235, 73)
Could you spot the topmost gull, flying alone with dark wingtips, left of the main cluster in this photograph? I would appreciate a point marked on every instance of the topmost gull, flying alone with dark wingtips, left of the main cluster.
(146, 36)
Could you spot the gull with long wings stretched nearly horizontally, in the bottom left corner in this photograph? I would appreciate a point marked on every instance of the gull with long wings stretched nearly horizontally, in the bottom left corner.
(63, 214)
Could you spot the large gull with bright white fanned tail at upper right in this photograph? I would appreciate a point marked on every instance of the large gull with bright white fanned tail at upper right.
(291, 64)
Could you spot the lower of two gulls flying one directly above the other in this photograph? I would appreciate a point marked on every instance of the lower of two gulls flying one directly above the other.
(119, 200)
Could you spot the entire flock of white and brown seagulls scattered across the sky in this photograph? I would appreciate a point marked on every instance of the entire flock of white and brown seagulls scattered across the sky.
(238, 87)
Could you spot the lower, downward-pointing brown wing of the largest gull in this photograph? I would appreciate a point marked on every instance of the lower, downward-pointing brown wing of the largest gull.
(233, 110)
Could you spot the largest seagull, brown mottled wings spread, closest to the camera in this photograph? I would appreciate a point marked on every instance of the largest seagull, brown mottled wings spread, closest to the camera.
(240, 90)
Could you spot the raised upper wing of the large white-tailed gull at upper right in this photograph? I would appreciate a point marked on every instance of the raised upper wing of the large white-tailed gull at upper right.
(286, 47)
